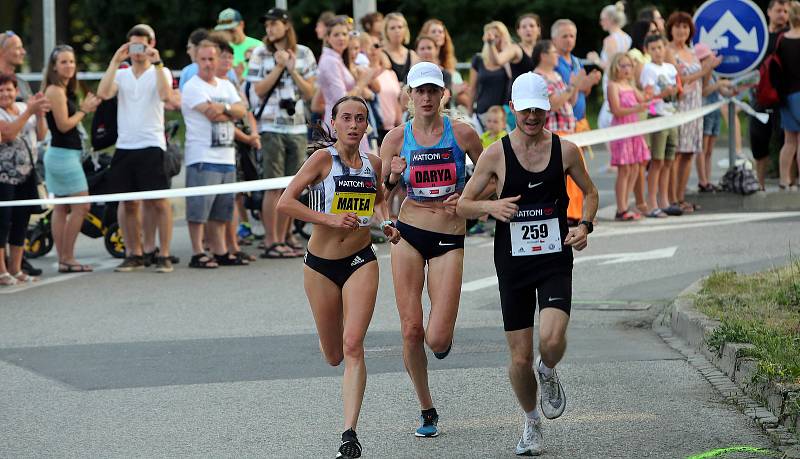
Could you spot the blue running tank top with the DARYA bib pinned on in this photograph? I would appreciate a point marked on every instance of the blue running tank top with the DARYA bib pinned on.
(433, 173)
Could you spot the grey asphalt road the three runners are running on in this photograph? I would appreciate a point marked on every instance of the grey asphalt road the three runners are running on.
(225, 363)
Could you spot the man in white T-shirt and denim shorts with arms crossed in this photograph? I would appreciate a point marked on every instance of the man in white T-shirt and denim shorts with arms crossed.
(209, 106)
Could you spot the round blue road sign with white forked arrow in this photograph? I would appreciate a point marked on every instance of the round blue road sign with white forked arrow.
(736, 30)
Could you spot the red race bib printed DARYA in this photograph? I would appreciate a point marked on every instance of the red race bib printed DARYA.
(432, 173)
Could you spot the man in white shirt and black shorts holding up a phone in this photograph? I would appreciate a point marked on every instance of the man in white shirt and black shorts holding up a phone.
(138, 163)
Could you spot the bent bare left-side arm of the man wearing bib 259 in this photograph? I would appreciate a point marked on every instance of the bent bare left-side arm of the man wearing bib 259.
(486, 169)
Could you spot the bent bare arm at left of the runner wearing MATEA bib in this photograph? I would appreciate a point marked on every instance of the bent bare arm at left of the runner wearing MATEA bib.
(312, 171)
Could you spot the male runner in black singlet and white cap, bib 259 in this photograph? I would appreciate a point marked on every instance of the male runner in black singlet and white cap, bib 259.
(533, 245)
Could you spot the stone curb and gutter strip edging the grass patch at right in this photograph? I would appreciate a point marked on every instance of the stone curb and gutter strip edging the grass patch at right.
(686, 330)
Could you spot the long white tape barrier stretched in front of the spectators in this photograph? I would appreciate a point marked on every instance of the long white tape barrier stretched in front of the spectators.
(582, 139)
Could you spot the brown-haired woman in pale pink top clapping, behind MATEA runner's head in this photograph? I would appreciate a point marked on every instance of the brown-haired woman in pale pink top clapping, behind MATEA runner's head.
(335, 80)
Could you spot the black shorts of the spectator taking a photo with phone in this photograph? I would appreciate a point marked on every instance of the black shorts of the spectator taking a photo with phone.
(137, 170)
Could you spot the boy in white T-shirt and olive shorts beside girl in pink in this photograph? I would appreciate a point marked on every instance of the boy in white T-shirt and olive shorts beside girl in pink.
(663, 78)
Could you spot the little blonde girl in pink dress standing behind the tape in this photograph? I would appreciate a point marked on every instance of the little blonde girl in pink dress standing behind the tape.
(628, 154)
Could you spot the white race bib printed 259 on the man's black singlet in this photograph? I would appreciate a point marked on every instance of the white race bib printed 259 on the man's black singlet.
(535, 231)
